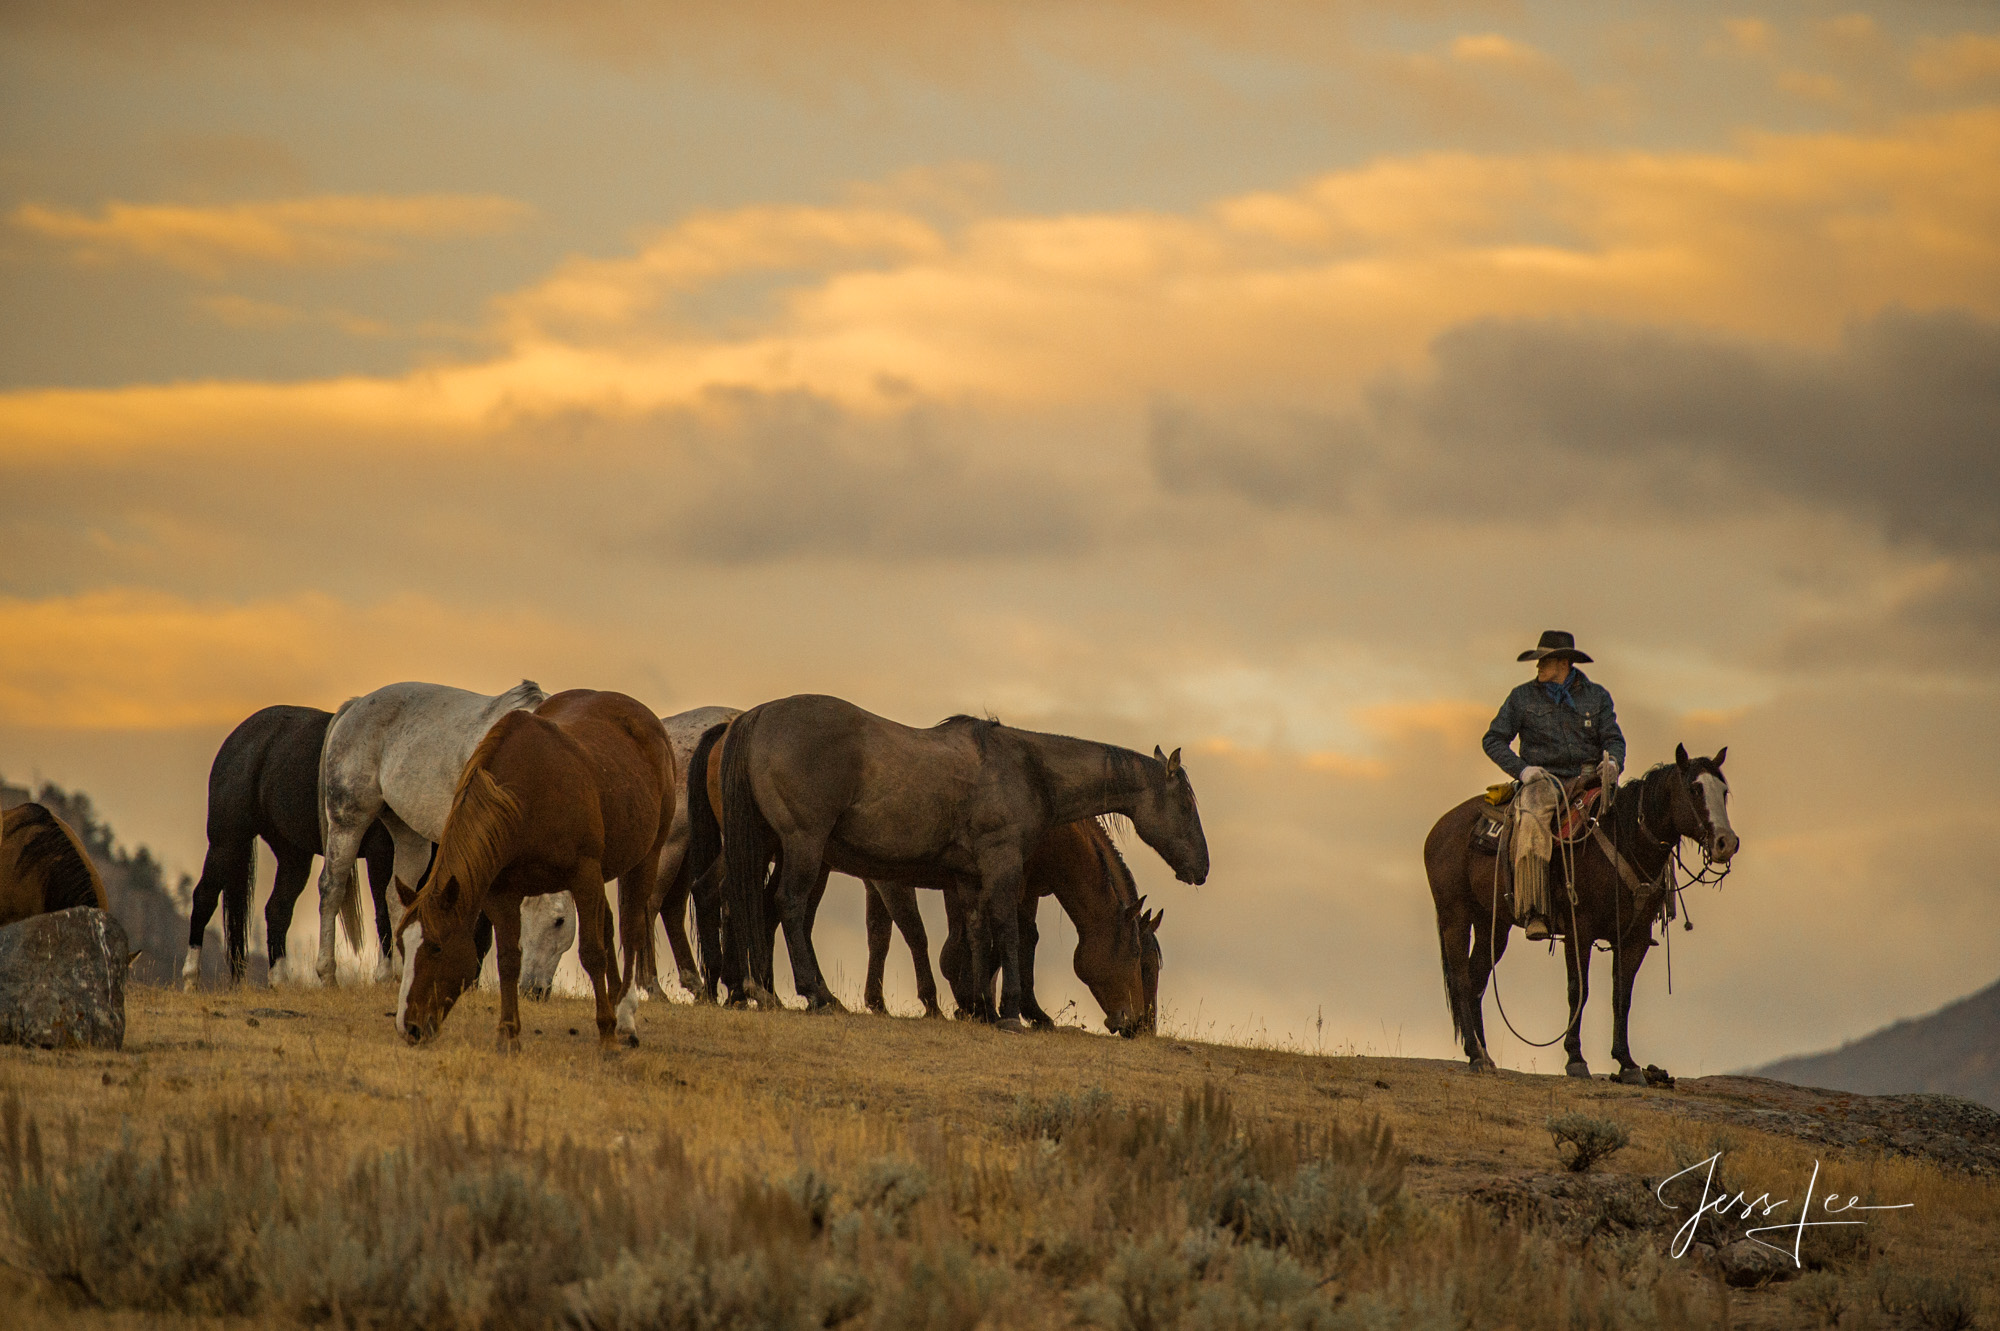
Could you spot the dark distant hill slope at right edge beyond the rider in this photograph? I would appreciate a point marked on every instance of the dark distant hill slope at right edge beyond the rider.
(1955, 1052)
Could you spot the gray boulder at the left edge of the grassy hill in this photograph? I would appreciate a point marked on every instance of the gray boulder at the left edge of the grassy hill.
(63, 980)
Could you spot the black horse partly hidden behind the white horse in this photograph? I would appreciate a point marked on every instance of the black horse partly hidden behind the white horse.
(267, 784)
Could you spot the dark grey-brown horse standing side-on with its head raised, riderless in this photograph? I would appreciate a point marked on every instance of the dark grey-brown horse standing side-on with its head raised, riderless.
(819, 784)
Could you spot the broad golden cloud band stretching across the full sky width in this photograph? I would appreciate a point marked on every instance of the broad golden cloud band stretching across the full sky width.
(1295, 295)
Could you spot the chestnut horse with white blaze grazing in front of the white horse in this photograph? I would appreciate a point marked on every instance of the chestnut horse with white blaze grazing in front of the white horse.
(563, 798)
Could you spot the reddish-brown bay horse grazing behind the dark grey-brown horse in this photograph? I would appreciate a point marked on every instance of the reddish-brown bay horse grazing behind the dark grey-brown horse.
(1117, 938)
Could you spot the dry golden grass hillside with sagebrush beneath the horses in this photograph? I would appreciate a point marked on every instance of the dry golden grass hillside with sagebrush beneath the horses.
(275, 1158)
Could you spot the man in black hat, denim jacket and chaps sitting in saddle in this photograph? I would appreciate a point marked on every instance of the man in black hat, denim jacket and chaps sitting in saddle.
(1567, 726)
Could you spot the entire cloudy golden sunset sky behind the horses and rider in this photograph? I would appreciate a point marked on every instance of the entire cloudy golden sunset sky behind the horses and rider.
(1249, 379)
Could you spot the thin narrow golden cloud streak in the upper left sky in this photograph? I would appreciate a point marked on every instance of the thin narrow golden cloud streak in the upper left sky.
(279, 233)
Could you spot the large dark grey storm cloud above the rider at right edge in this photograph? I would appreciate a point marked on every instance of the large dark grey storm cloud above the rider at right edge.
(1897, 427)
